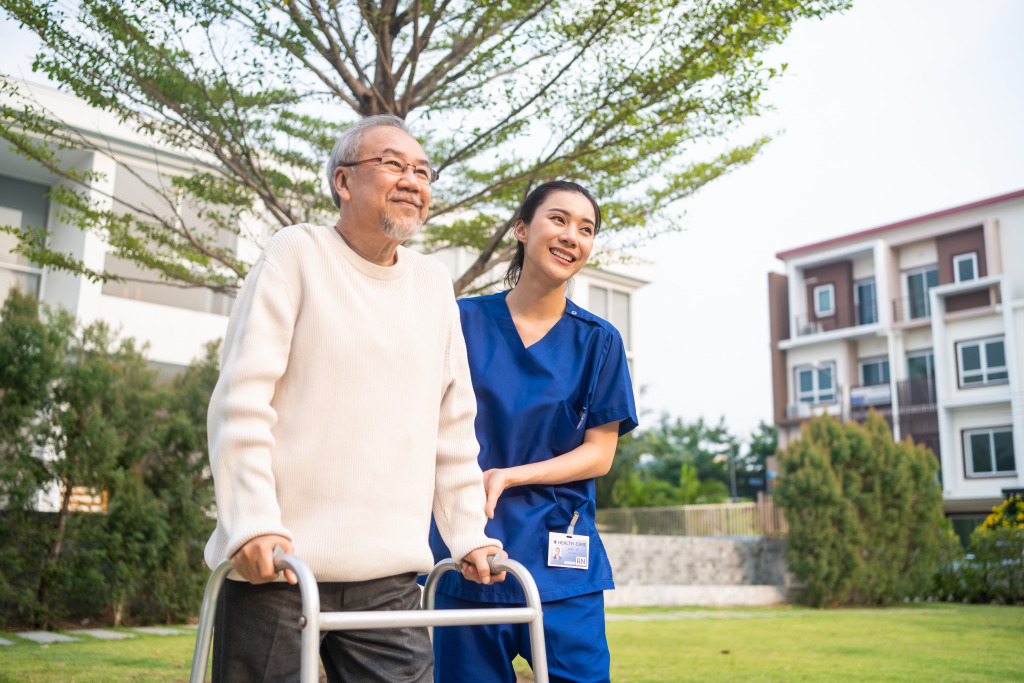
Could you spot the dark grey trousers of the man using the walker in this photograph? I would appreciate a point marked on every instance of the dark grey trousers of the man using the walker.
(258, 637)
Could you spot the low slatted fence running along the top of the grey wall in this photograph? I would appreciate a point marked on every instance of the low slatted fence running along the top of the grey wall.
(761, 519)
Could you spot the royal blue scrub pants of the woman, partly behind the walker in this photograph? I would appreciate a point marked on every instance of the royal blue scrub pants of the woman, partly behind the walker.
(574, 637)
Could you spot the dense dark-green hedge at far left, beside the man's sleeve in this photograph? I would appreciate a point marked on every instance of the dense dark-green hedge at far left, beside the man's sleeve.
(80, 409)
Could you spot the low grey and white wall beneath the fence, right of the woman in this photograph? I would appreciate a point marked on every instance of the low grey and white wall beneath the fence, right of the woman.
(696, 571)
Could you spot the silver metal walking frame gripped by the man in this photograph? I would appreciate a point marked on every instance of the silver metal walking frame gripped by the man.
(313, 621)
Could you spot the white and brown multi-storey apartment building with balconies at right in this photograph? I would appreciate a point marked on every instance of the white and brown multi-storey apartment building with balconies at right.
(922, 321)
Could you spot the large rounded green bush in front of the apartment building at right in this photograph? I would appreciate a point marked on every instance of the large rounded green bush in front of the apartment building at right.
(865, 514)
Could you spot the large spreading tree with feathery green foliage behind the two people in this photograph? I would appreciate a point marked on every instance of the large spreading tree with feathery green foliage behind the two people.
(634, 99)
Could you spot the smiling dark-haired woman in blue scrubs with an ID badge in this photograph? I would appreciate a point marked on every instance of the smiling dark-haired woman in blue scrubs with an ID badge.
(553, 396)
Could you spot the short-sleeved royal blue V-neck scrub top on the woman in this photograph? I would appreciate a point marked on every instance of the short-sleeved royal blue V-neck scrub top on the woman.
(533, 405)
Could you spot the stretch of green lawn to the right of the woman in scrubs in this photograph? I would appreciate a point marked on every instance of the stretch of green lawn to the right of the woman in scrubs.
(921, 643)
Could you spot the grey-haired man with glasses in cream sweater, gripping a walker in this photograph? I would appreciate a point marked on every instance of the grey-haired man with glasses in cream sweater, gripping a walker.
(343, 419)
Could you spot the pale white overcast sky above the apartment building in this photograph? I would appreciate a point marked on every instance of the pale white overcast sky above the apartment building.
(893, 110)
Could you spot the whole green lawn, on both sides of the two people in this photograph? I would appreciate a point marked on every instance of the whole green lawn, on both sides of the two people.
(921, 643)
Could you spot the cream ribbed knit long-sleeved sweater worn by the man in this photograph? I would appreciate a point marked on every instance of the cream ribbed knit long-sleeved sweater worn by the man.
(345, 412)
